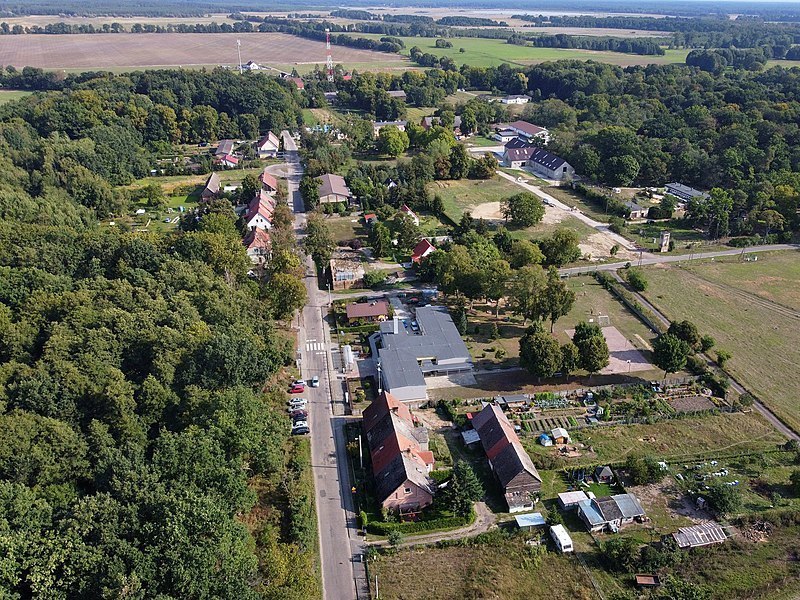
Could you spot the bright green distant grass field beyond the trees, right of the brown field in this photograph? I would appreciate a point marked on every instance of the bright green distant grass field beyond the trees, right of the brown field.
(482, 52)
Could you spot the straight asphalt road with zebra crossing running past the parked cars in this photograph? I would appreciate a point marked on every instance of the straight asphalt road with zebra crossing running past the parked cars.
(335, 516)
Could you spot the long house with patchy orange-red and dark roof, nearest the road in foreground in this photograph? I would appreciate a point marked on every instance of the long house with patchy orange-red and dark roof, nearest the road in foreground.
(401, 460)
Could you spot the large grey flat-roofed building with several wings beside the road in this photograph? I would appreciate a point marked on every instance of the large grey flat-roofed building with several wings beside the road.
(406, 357)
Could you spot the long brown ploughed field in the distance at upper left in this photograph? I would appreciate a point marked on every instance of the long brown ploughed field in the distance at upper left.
(124, 51)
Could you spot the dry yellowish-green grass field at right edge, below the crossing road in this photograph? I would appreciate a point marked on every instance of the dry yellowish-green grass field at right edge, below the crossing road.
(751, 310)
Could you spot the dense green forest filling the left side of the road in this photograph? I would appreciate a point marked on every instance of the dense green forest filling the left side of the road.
(144, 444)
